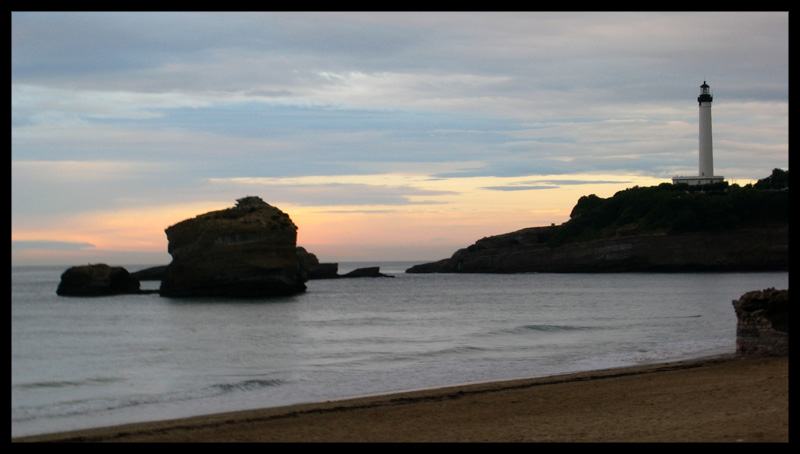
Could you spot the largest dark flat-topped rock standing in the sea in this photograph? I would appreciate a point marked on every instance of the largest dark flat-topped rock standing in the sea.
(248, 250)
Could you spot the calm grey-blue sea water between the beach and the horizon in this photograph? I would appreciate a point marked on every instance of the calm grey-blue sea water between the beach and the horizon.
(91, 362)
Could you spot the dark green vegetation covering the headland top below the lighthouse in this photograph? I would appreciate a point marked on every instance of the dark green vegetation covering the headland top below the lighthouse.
(675, 209)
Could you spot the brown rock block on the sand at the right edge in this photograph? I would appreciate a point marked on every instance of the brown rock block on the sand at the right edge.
(762, 327)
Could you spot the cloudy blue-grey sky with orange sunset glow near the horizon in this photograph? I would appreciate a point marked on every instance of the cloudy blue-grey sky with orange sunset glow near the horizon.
(383, 135)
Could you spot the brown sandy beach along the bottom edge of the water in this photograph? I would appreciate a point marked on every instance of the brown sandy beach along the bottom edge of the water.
(719, 399)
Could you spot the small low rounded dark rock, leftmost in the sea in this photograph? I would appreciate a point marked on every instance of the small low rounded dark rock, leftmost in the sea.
(97, 280)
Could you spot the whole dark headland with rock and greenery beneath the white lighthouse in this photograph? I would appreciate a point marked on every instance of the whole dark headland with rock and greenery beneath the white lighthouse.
(666, 229)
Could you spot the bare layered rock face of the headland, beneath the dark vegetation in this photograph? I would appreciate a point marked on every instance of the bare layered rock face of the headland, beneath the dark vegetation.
(741, 249)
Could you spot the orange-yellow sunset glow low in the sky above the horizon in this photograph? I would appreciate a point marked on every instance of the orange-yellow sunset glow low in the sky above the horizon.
(454, 216)
